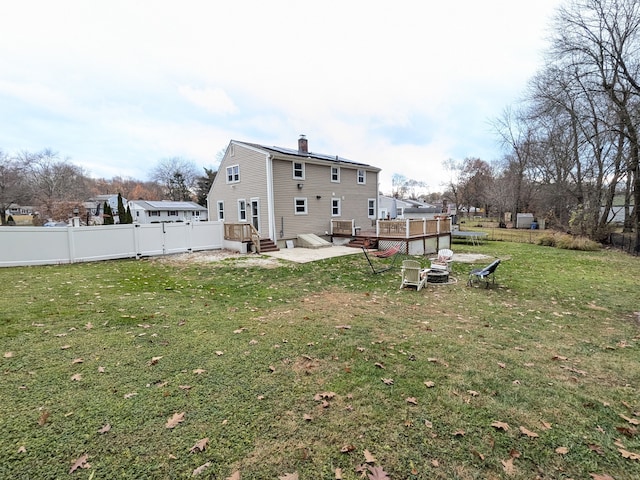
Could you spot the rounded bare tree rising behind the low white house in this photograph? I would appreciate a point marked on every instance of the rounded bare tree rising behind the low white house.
(177, 176)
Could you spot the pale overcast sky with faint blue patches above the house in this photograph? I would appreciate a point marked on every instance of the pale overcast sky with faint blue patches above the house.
(115, 86)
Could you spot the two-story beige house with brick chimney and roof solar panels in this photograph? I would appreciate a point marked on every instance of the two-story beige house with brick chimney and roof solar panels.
(283, 192)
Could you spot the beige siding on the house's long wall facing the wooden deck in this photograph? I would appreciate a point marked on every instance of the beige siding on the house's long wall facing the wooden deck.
(317, 183)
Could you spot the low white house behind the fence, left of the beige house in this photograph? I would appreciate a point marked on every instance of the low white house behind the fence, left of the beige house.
(147, 211)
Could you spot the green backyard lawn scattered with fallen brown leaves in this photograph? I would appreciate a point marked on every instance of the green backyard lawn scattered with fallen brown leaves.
(311, 368)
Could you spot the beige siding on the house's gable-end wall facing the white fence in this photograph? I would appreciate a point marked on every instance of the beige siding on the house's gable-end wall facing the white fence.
(252, 184)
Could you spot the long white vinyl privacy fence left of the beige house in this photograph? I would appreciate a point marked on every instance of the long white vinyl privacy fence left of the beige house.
(54, 245)
